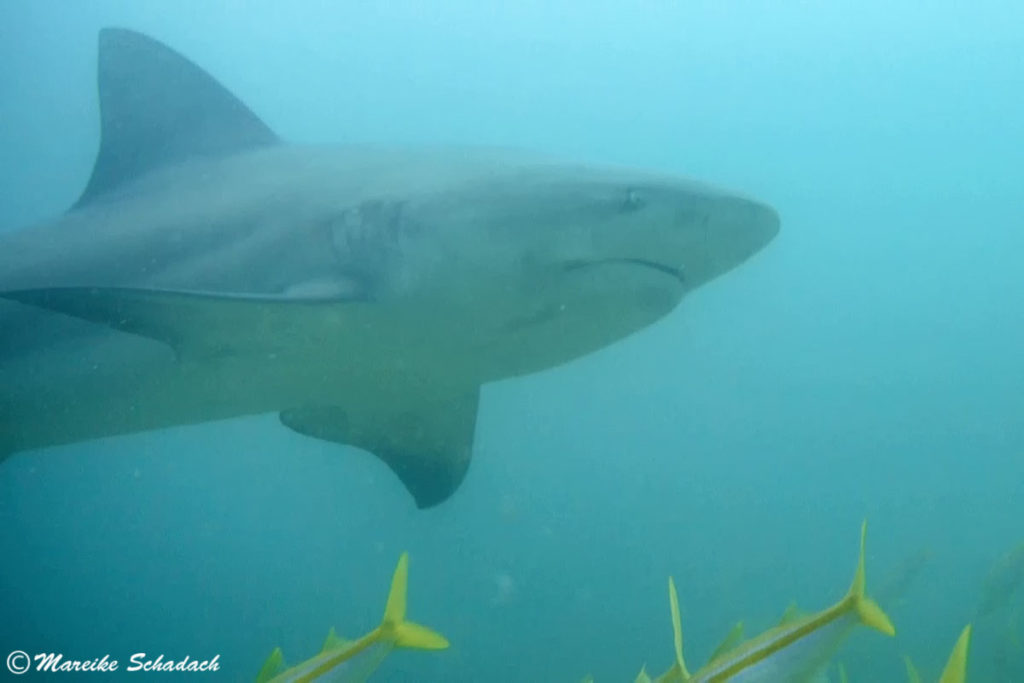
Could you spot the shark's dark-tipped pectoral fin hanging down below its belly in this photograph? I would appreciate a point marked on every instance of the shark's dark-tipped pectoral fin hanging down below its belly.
(429, 448)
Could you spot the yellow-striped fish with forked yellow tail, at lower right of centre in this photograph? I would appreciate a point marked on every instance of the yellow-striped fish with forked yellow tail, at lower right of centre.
(796, 651)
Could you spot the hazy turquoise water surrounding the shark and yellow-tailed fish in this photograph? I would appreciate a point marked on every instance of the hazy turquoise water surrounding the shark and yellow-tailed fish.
(867, 364)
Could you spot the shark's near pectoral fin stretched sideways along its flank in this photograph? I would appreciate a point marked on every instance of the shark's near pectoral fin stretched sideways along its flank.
(198, 325)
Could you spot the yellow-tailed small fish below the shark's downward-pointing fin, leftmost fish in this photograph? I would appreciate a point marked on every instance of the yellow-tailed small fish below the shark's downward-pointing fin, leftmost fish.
(352, 661)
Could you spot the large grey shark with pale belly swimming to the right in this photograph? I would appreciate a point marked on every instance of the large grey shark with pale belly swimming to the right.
(210, 271)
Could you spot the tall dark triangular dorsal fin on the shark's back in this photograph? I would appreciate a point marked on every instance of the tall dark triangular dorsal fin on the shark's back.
(158, 108)
